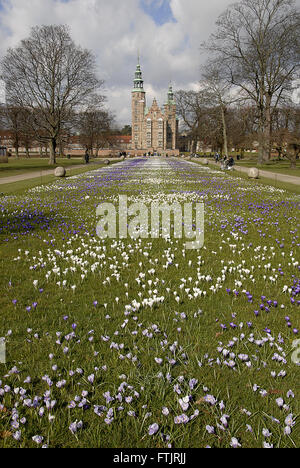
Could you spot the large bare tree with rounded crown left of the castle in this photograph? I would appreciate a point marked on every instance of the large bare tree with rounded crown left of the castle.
(50, 76)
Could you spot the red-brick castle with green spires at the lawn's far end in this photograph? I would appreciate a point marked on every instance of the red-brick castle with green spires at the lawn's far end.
(154, 129)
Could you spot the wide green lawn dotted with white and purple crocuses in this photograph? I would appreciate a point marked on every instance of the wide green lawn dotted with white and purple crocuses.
(141, 342)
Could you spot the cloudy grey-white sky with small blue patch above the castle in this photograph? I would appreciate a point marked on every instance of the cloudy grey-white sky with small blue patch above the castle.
(167, 33)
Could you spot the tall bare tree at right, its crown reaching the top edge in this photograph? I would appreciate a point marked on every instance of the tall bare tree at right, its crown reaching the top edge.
(258, 43)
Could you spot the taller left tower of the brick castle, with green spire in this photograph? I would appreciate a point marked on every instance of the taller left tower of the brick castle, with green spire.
(138, 103)
